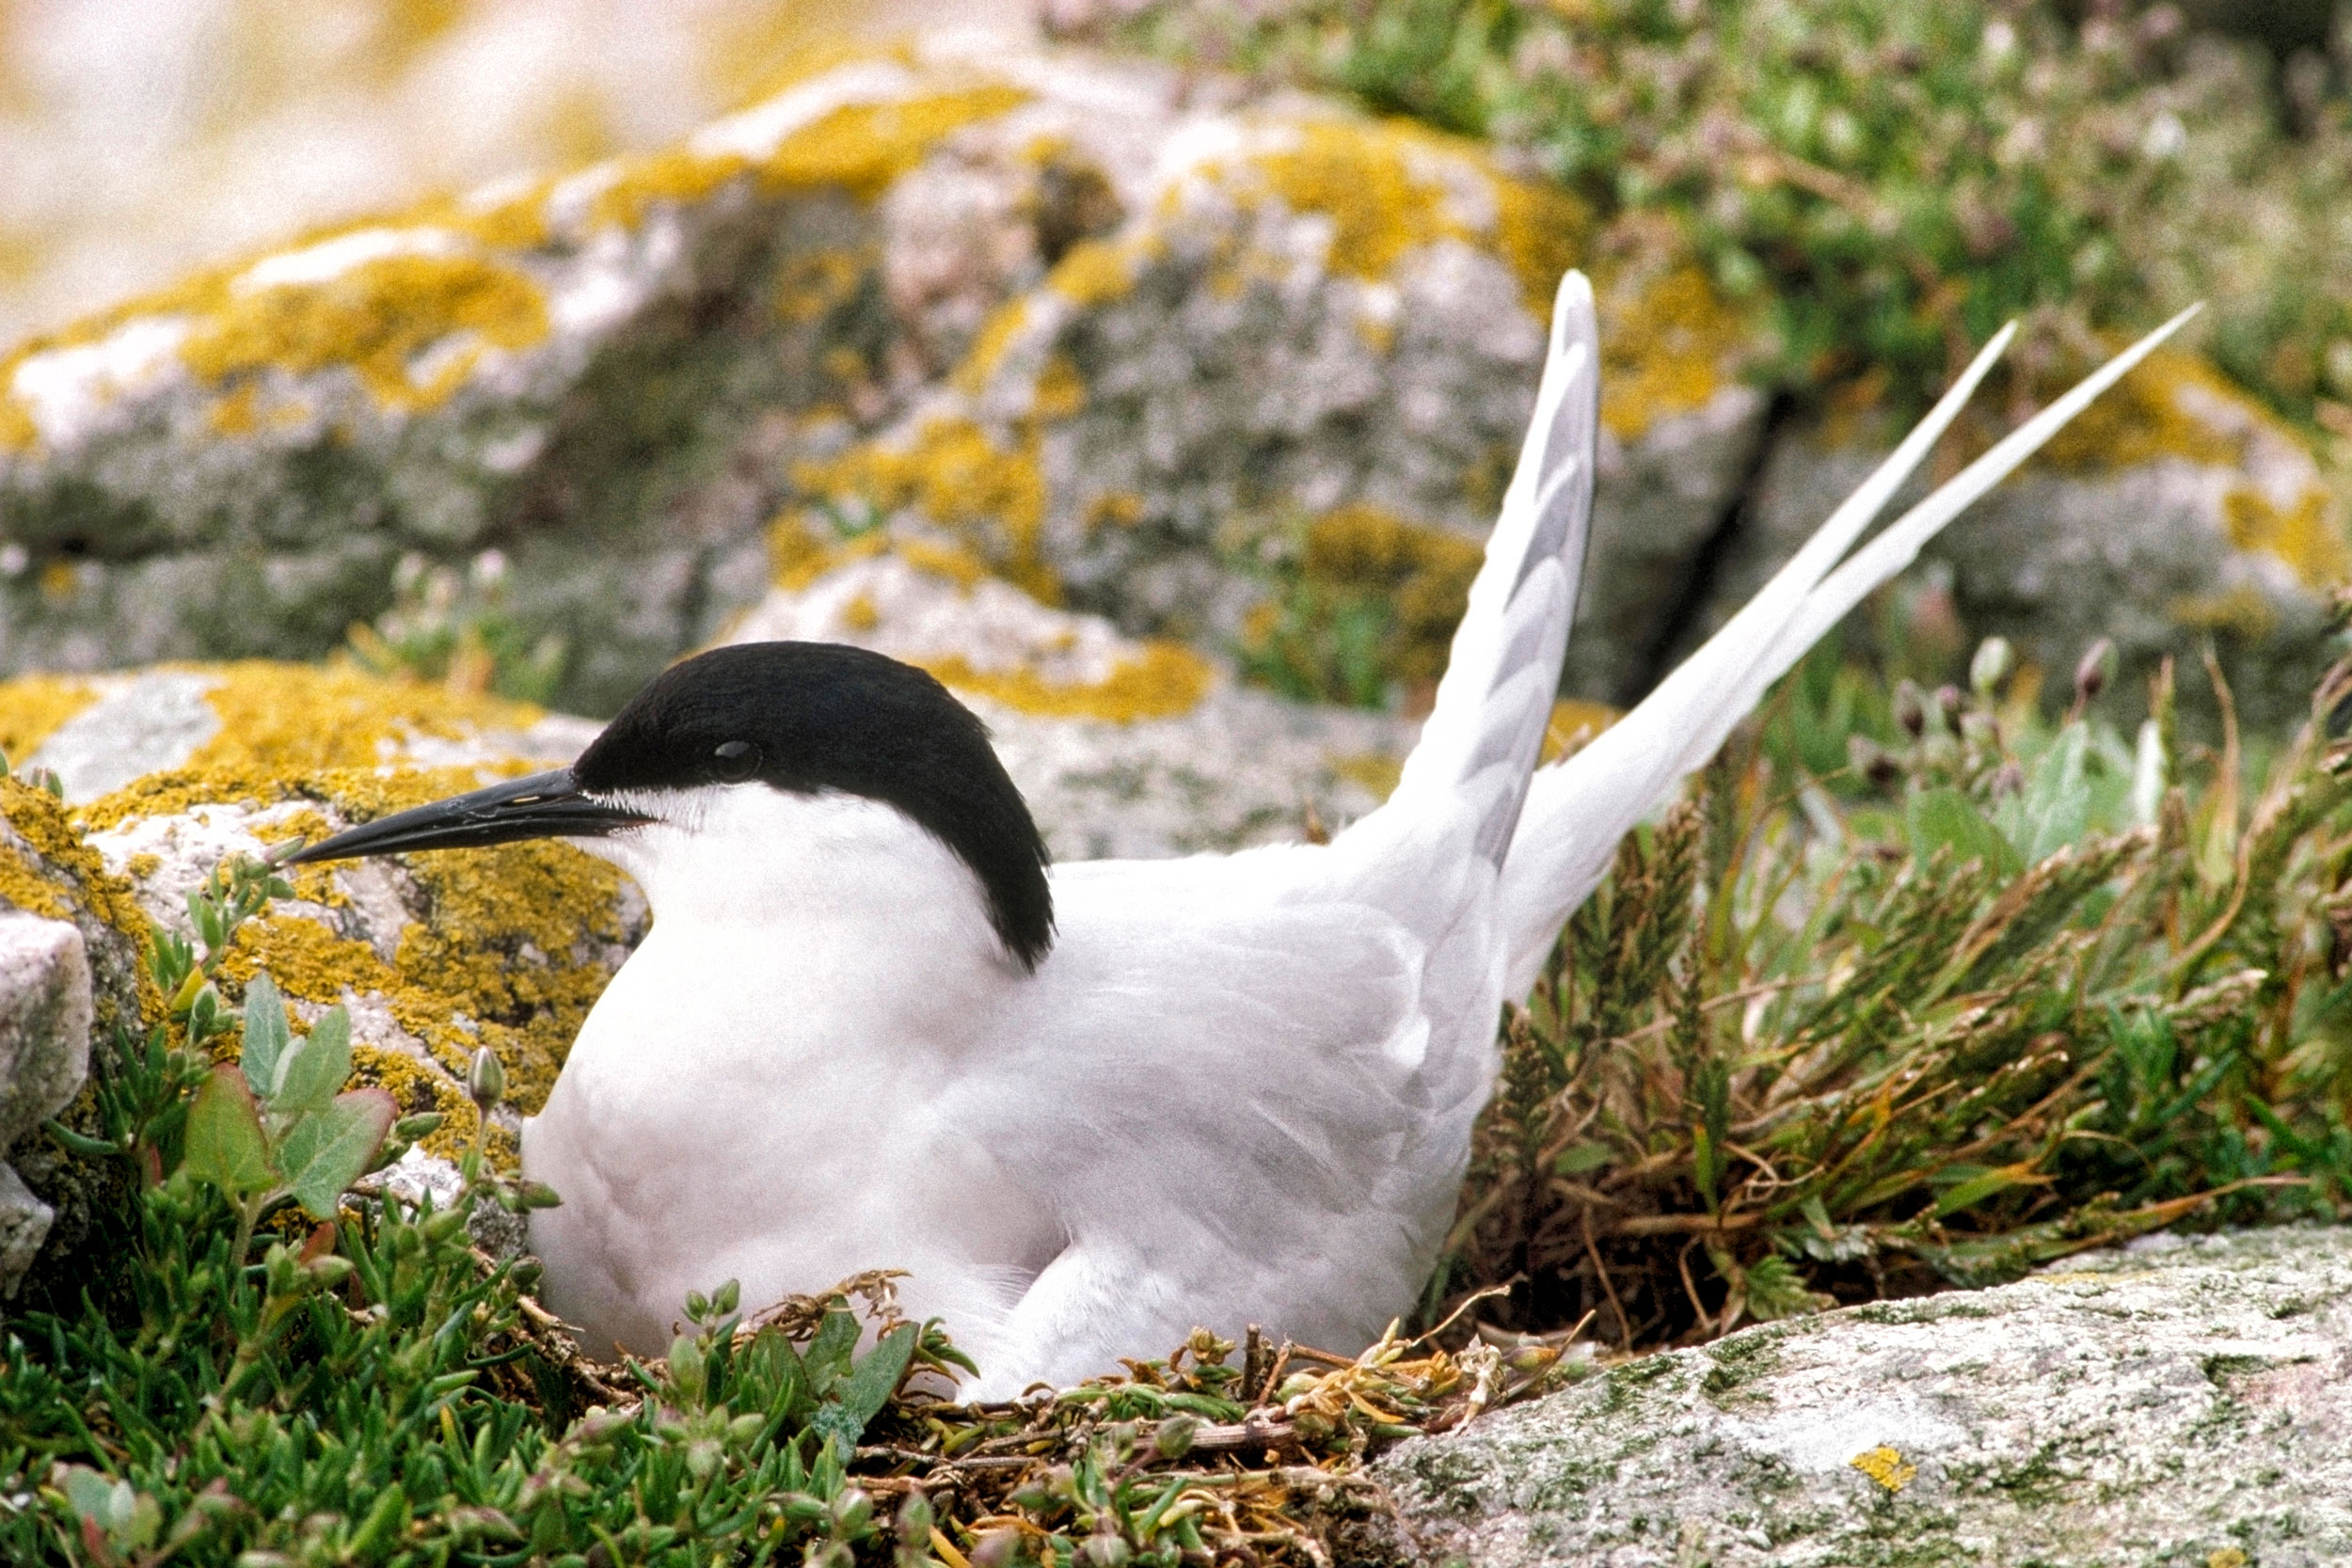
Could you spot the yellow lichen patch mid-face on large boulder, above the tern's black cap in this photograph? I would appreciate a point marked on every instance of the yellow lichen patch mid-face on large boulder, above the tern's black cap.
(956, 476)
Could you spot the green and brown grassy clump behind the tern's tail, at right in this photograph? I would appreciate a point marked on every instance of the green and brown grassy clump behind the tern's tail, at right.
(1876, 1014)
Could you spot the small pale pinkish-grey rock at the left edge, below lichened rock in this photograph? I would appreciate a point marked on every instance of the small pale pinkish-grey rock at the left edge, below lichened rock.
(44, 1061)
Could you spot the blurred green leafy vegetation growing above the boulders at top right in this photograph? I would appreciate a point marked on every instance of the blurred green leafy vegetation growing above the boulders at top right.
(1887, 180)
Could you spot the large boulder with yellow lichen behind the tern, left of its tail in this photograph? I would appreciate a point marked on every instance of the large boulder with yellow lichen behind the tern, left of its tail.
(1107, 326)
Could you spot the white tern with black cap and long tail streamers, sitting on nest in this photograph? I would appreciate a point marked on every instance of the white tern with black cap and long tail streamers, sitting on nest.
(1095, 1106)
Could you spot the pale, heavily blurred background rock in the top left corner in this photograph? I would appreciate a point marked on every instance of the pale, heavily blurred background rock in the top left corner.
(147, 138)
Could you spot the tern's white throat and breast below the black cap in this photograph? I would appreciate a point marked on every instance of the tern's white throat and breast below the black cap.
(759, 1092)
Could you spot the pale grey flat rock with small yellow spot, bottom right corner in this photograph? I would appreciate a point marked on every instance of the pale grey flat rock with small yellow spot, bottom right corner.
(2172, 1402)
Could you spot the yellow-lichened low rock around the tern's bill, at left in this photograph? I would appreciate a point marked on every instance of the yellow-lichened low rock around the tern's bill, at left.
(434, 956)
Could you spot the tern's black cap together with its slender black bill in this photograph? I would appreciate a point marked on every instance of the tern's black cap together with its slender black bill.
(794, 716)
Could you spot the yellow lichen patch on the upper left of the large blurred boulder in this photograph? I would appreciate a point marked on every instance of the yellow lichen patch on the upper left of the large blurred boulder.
(375, 319)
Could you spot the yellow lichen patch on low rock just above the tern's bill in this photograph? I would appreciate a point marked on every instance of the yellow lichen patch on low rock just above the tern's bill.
(300, 718)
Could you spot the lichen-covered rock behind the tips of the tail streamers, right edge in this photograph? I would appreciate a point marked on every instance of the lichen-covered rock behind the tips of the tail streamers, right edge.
(2174, 509)
